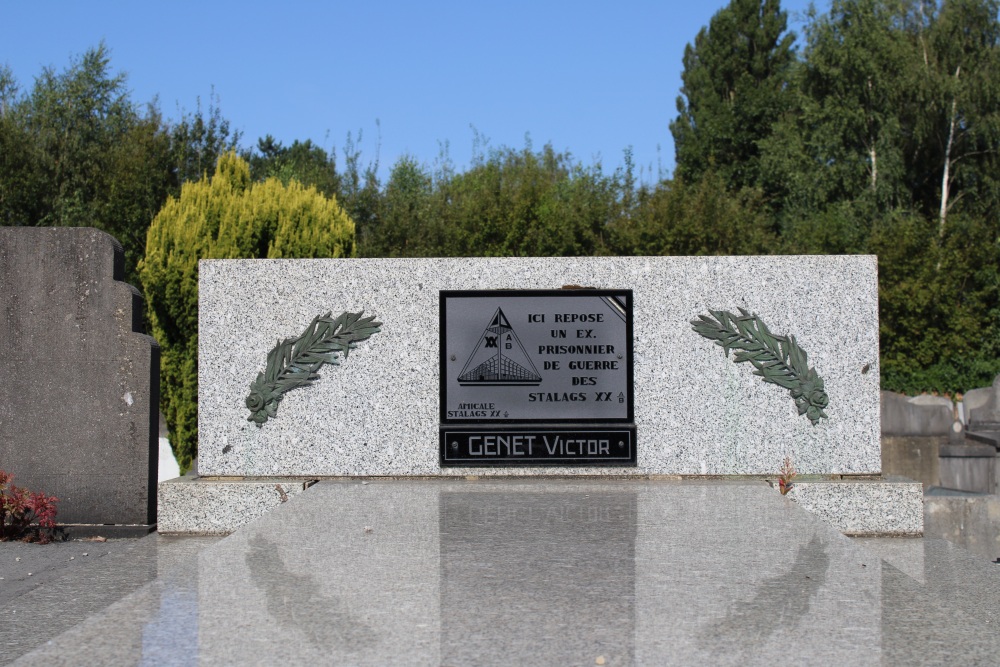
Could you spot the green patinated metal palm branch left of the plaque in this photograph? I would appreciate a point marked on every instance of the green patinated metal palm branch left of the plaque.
(294, 361)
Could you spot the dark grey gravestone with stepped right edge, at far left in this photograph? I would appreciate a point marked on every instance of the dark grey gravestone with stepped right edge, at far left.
(79, 385)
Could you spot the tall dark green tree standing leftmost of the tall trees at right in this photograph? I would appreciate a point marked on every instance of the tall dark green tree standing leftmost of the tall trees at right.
(735, 85)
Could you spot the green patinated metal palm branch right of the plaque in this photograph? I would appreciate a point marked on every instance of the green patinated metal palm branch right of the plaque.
(776, 359)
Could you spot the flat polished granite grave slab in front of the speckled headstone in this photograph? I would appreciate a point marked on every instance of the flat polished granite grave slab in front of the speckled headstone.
(548, 572)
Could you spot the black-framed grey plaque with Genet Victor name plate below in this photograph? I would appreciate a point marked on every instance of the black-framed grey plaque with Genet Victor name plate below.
(558, 359)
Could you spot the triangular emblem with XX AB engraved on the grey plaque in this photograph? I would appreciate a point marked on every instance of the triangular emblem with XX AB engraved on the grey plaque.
(499, 358)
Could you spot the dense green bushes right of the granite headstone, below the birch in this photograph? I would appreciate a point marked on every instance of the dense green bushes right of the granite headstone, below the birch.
(939, 303)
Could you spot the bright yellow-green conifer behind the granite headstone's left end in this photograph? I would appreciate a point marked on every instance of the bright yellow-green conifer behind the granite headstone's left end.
(225, 216)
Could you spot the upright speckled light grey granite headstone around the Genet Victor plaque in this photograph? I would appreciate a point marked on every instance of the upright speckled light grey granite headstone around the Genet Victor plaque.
(696, 411)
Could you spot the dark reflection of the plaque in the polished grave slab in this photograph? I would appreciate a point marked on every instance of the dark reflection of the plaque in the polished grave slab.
(496, 545)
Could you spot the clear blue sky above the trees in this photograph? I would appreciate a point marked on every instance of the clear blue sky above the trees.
(591, 78)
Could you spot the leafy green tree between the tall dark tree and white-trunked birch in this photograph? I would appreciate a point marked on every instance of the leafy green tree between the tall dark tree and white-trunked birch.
(844, 141)
